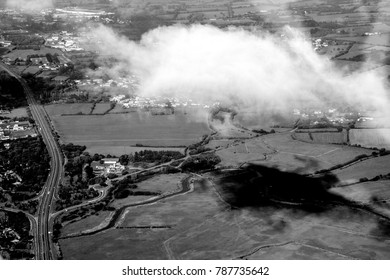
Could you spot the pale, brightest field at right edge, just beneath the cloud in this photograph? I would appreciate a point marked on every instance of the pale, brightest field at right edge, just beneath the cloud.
(379, 138)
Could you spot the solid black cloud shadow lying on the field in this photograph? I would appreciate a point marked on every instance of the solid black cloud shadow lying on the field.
(256, 186)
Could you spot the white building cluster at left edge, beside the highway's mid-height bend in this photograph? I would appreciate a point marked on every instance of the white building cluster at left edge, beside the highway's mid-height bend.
(10, 130)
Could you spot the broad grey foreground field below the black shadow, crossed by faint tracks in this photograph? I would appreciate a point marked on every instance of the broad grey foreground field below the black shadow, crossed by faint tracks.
(198, 225)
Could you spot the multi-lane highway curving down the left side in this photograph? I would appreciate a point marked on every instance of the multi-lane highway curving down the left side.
(44, 249)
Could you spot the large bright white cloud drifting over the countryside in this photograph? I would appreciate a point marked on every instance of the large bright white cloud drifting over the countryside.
(260, 72)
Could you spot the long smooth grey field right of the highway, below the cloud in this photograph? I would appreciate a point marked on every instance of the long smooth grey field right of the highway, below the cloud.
(127, 129)
